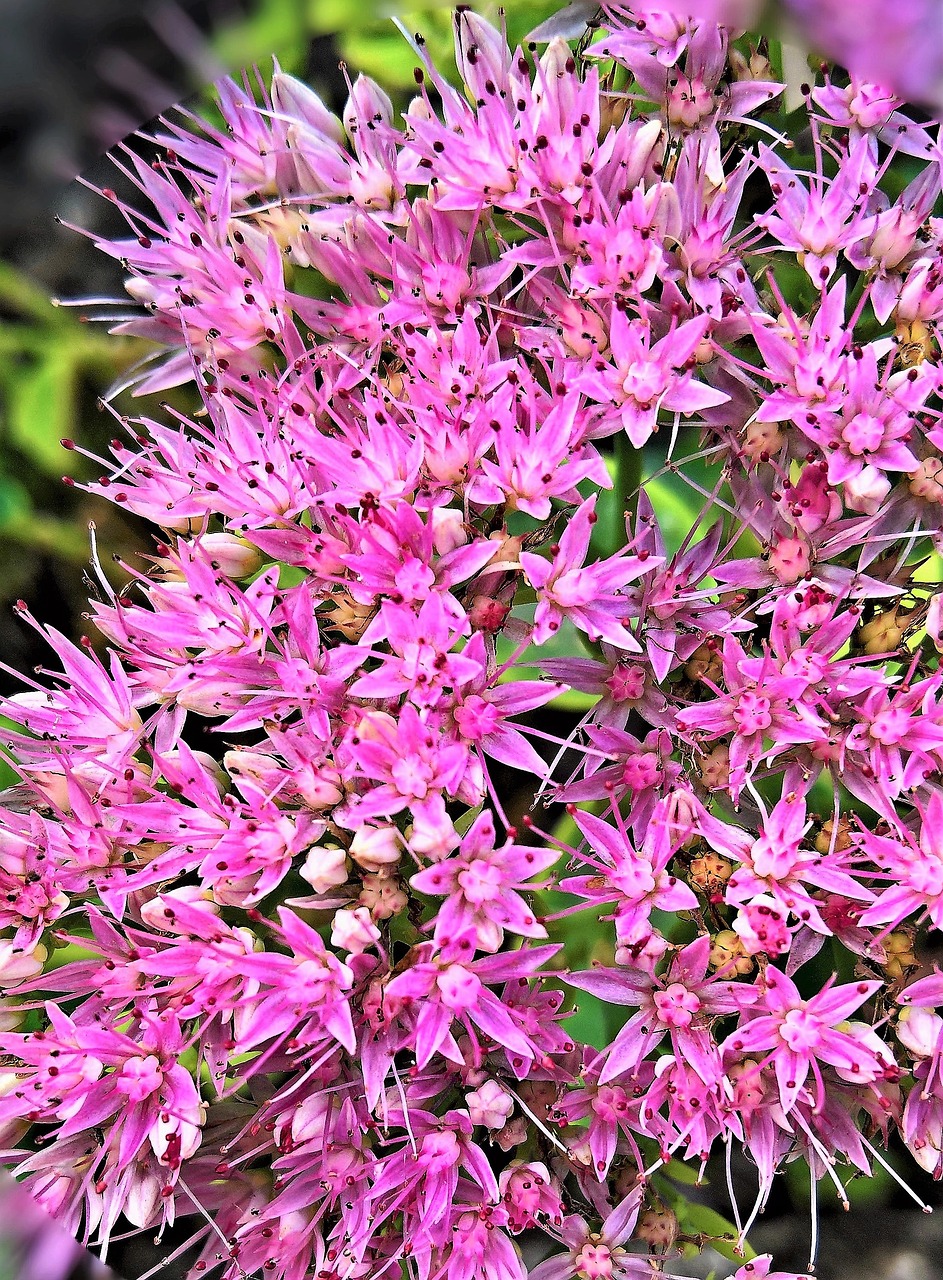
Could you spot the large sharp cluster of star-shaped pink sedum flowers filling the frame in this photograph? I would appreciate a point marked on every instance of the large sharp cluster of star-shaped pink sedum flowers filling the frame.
(280, 953)
